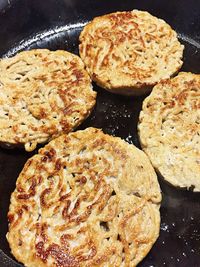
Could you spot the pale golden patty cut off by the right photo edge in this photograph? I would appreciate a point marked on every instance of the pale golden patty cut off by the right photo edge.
(169, 130)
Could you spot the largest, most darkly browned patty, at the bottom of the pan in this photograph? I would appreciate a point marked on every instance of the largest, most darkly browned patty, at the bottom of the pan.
(87, 199)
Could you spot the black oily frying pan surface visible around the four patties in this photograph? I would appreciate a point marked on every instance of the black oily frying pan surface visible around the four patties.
(31, 24)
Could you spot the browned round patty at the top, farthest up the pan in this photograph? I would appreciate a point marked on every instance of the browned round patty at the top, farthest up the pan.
(129, 52)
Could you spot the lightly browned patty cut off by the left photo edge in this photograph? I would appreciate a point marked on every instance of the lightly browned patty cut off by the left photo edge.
(42, 94)
